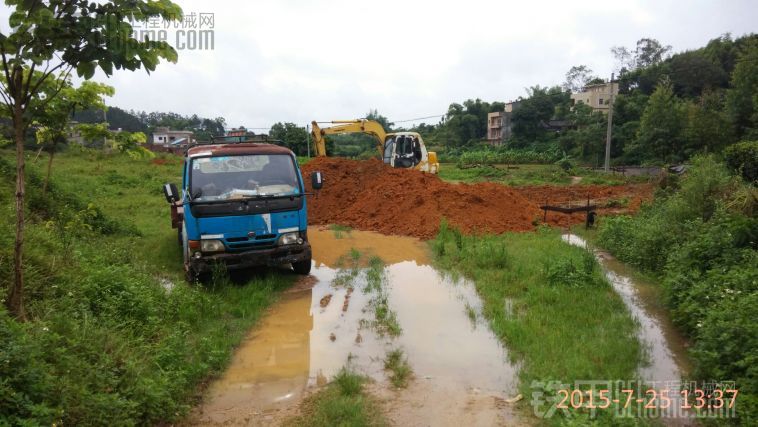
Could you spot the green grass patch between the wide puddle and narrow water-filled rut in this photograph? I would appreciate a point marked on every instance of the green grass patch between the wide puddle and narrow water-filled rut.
(565, 323)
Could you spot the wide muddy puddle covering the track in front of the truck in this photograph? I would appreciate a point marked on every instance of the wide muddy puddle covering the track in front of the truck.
(328, 320)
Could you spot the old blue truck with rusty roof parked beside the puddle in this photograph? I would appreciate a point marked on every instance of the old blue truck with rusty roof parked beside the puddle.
(241, 205)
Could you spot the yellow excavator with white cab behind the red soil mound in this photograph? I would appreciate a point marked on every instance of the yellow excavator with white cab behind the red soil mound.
(399, 150)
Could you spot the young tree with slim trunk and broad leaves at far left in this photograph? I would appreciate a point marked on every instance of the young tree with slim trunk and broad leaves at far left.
(47, 40)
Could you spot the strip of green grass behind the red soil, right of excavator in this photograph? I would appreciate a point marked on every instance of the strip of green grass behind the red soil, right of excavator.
(520, 175)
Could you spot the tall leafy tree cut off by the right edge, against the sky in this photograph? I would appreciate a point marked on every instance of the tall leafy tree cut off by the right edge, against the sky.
(742, 97)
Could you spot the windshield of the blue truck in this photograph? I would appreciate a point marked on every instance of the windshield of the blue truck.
(239, 177)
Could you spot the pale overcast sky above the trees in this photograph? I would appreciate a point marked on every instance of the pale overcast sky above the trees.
(299, 60)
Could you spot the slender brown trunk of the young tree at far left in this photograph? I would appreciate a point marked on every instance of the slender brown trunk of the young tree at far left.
(15, 301)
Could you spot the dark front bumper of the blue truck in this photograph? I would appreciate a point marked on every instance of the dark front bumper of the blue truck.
(253, 258)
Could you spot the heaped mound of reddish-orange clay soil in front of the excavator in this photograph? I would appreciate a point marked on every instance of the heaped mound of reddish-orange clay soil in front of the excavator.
(369, 195)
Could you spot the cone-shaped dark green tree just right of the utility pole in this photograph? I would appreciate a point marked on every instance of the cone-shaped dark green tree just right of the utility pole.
(660, 133)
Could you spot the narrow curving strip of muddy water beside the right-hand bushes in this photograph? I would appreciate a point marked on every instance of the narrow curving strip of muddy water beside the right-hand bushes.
(665, 348)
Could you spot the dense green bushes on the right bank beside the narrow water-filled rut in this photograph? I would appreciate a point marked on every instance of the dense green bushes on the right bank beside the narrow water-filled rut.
(703, 246)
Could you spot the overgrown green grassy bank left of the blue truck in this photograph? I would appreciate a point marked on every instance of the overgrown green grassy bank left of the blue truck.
(115, 335)
